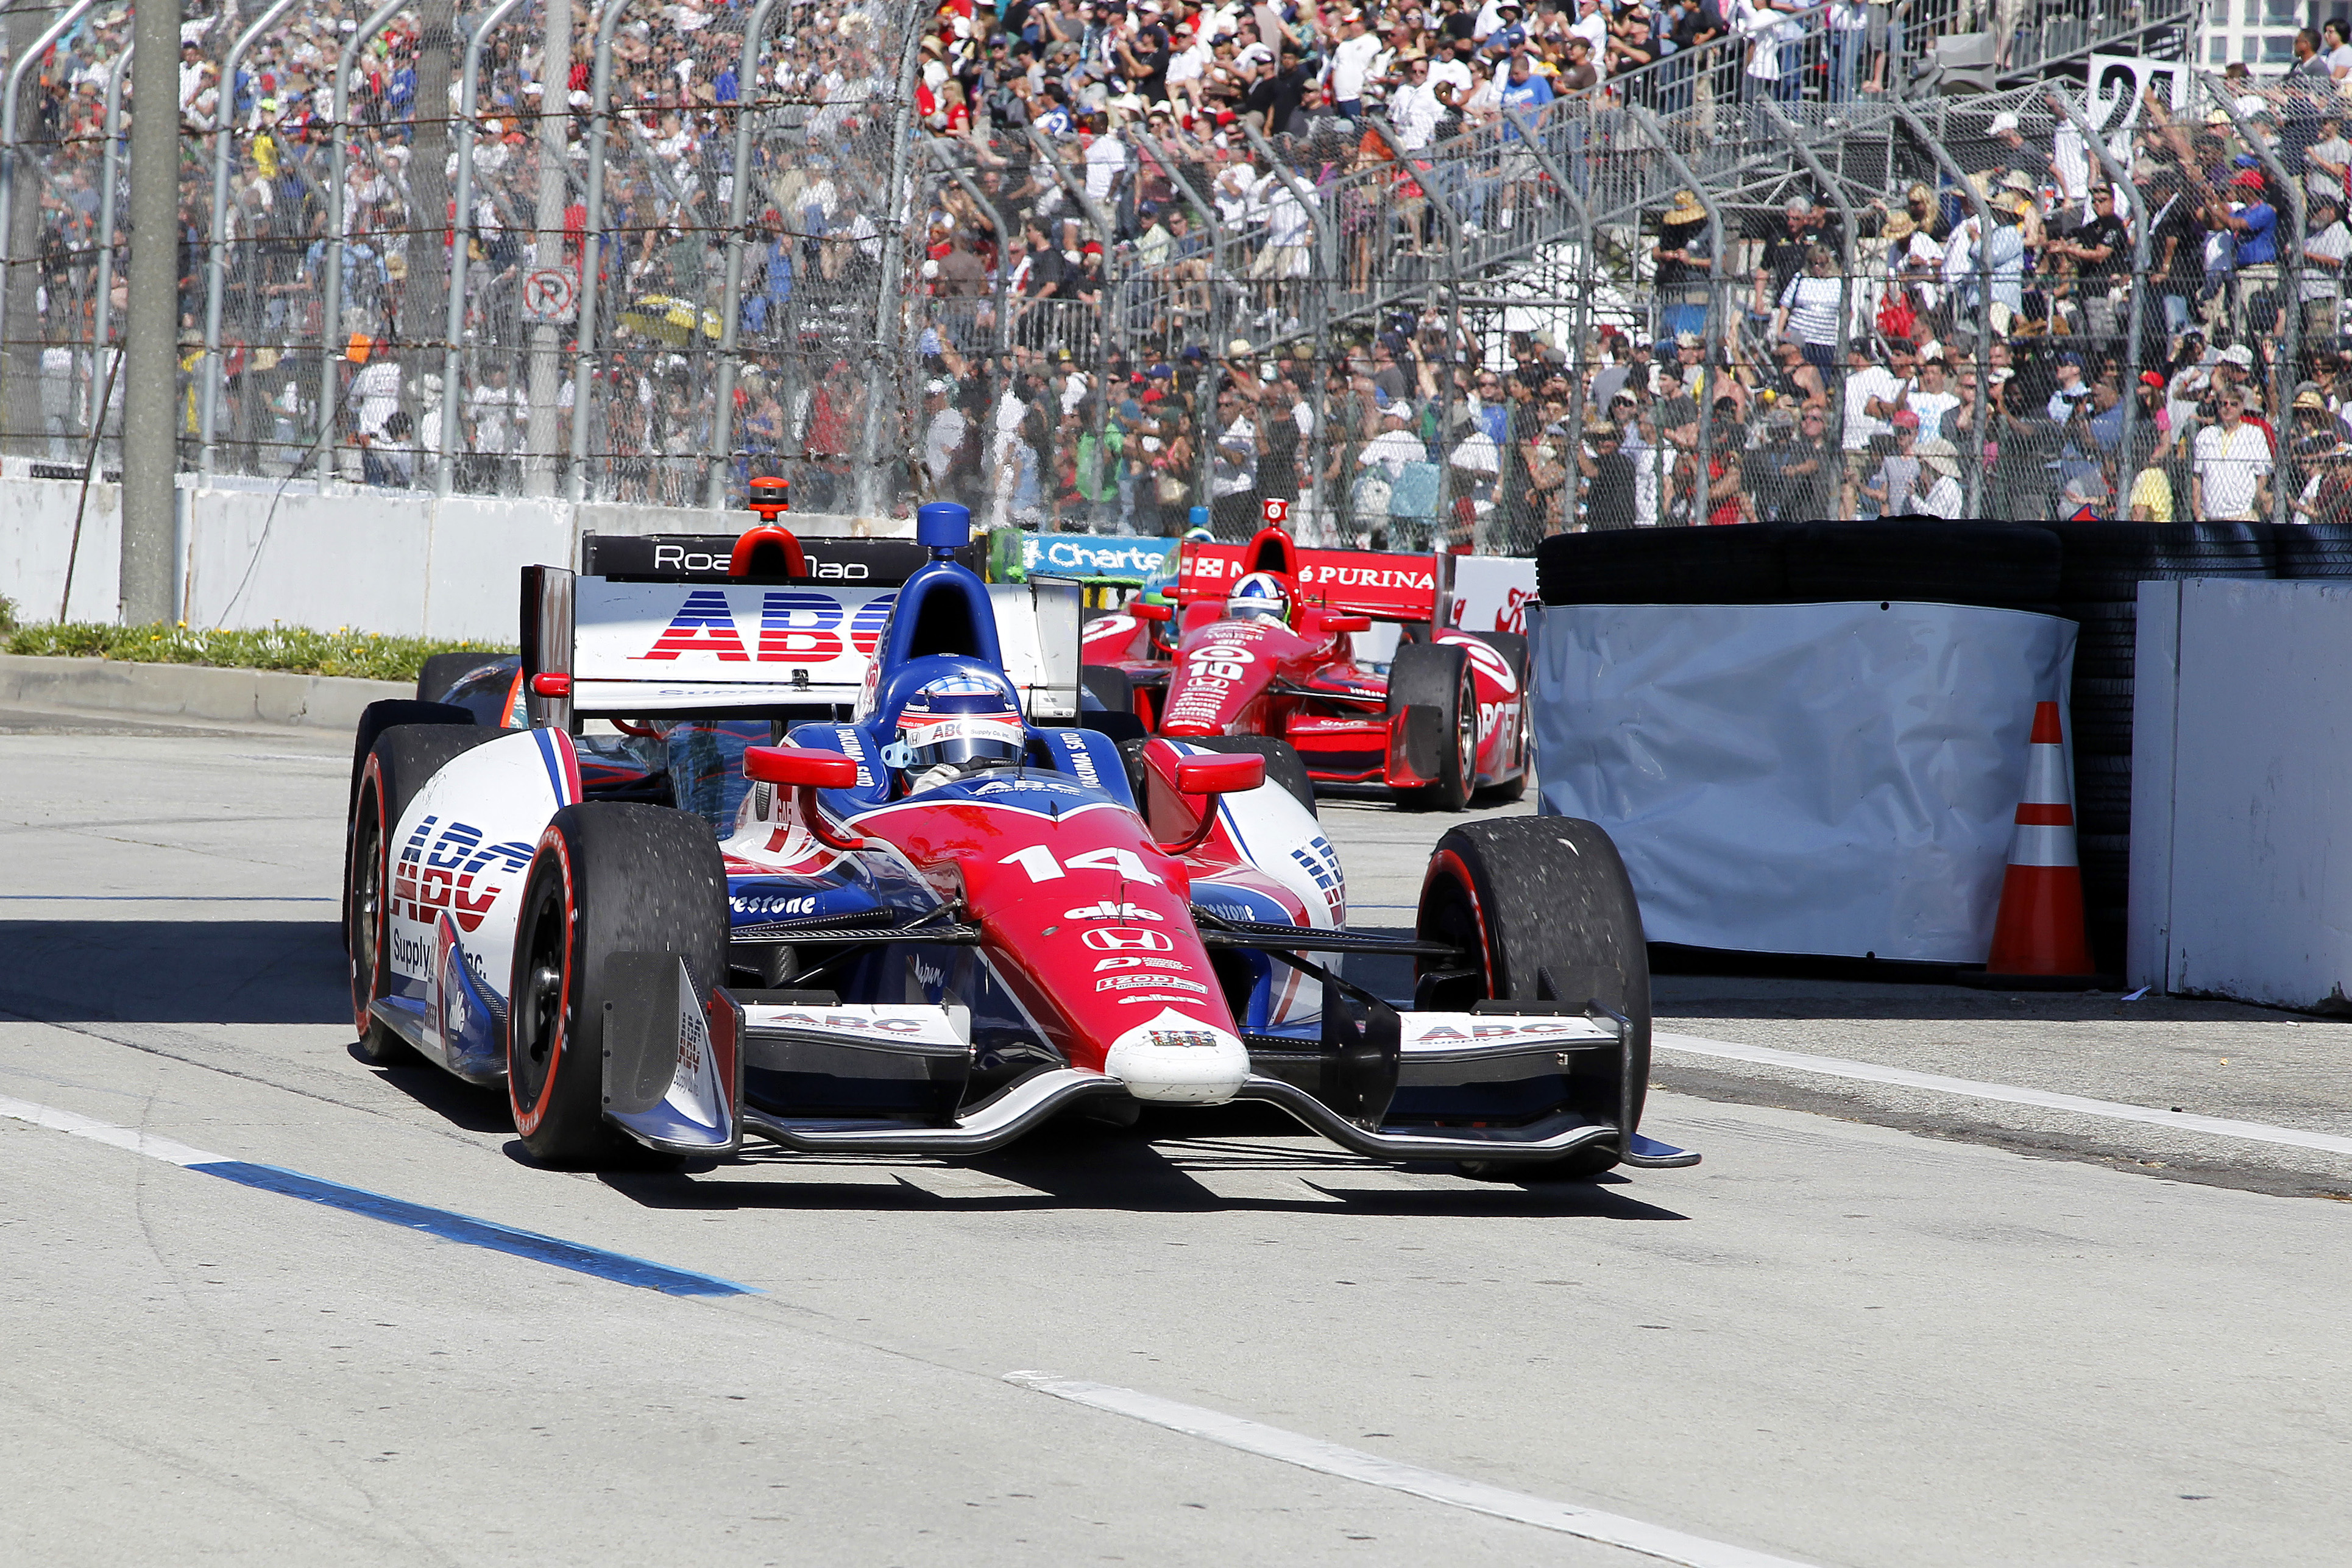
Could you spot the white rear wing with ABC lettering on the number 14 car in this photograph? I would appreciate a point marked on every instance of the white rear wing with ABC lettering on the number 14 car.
(688, 643)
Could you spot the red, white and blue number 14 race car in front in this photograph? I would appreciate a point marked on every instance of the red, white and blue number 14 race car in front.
(857, 883)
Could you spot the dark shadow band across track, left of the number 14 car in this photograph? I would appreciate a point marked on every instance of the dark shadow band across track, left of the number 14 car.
(173, 970)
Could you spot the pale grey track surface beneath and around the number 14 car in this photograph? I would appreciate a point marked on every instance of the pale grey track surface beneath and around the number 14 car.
(1880, 1325)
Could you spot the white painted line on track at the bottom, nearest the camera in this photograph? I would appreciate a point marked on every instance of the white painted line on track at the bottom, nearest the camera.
(1398, 1477)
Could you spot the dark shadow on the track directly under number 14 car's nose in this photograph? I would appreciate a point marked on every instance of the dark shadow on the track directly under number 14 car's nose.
(1085, 1167)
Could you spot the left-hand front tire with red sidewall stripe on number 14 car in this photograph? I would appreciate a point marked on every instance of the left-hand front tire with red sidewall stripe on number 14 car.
(610, 878)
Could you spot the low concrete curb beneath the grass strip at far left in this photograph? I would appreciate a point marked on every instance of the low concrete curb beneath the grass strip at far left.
(194, 692)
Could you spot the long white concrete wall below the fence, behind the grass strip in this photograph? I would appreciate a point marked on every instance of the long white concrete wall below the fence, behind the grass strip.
(366, 558)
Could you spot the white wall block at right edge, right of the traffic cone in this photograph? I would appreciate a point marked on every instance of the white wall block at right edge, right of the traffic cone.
(2243, 791)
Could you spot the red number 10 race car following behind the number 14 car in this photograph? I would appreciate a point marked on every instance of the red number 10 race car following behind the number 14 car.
(1264, 643)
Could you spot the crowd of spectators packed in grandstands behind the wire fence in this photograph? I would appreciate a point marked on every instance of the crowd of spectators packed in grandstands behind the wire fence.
(1104, 142)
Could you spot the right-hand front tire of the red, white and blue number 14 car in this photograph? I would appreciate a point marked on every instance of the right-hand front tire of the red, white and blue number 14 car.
(1549, 916)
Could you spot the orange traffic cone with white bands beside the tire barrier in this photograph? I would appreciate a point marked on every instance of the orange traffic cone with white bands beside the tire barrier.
(2038, 937)
